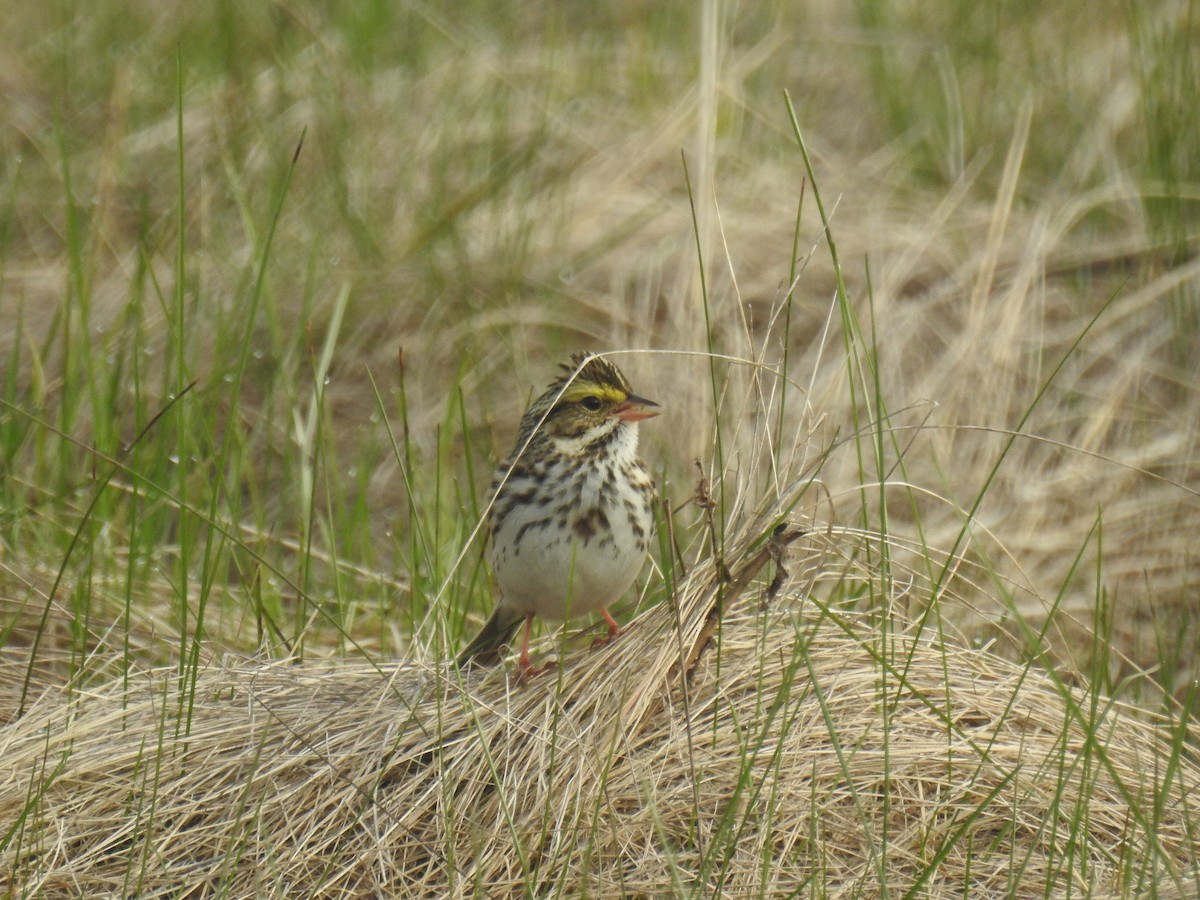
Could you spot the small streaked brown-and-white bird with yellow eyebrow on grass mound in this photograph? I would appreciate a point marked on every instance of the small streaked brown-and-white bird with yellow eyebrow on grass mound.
(573, 509)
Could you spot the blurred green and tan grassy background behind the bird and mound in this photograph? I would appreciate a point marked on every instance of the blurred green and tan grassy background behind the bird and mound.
(278, 280)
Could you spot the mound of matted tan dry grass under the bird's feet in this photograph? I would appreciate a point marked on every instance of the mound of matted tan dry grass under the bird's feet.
(811, 753)
